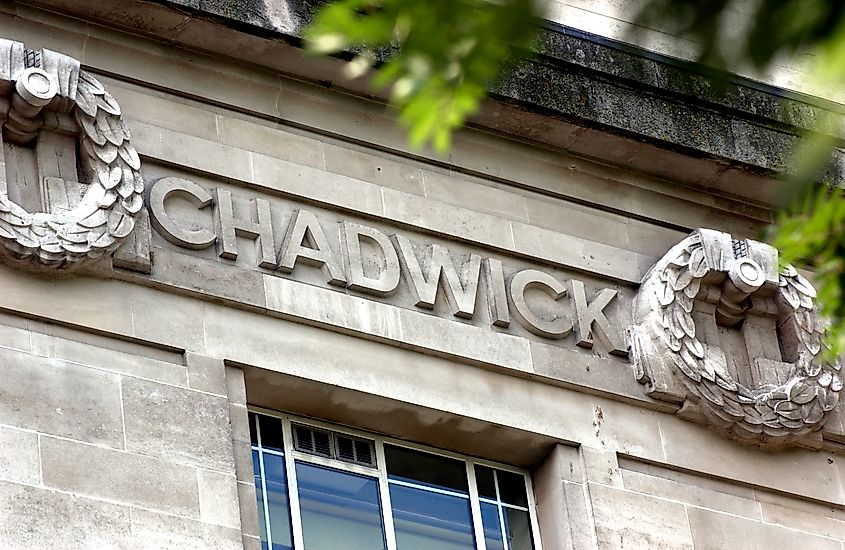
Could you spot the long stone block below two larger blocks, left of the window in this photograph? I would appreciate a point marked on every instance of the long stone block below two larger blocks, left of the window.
(120, 476)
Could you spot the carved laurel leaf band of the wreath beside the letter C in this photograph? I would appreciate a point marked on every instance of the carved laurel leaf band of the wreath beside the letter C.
(106, 213)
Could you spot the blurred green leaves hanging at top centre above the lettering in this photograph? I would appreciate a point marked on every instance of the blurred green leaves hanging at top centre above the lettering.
(441, 54)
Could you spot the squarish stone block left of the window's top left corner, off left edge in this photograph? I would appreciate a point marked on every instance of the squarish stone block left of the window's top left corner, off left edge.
(177, 424)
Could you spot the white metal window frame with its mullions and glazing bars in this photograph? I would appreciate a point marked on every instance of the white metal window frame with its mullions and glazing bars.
(379, 473)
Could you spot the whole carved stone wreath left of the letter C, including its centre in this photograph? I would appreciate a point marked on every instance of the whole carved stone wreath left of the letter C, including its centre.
(56, 119)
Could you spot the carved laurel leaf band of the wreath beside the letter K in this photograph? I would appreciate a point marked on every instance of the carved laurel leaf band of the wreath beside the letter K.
(793, 408)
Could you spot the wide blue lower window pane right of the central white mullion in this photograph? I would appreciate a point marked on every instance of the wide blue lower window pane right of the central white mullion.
(433, 521)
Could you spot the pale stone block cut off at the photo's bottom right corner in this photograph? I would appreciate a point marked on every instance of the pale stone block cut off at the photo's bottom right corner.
(713, 530)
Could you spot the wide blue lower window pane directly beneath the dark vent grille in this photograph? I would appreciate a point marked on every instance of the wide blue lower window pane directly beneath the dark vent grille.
(339, 509)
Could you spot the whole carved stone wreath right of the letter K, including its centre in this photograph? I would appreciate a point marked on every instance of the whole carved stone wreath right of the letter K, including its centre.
(719, 330)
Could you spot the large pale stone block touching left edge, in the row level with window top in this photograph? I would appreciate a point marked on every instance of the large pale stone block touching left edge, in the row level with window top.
(59, 398)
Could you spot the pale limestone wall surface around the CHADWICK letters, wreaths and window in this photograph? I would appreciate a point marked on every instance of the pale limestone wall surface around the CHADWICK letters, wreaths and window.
(123, 403)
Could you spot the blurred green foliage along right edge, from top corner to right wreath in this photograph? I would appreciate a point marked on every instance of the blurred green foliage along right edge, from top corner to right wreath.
(736, 34)
